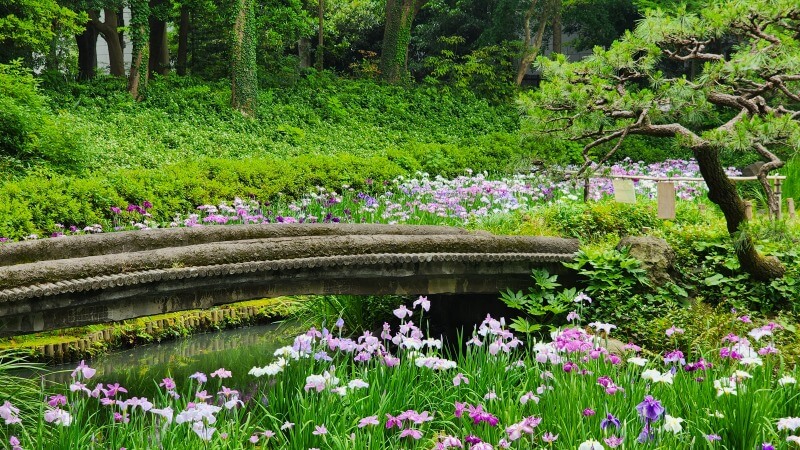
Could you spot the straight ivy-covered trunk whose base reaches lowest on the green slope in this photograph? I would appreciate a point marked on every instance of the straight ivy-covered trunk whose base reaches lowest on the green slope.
(244, 84)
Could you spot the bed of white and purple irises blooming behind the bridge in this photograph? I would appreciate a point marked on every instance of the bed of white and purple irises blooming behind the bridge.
(423, 200)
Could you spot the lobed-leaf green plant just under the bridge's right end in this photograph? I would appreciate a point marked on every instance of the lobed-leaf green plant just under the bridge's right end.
(542, 302)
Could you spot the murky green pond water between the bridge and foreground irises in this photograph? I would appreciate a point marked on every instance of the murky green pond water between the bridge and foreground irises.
(141, 369)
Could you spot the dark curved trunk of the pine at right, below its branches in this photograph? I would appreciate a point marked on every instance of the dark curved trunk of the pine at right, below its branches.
(723, 193)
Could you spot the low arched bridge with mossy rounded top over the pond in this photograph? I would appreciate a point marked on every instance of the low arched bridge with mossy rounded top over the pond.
(71, 281)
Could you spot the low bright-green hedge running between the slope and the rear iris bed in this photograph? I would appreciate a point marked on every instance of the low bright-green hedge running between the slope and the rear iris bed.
(35, 204)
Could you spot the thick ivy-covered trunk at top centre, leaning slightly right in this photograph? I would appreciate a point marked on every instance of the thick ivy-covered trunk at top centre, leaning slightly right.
(396, 37)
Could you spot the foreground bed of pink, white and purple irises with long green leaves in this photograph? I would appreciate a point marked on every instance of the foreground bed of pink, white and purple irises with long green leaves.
(402, 389)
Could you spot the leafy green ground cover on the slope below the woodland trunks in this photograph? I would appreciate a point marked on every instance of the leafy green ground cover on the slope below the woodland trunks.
(183, 119)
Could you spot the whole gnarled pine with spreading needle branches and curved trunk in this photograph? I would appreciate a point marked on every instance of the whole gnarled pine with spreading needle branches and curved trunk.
(746, 97)
